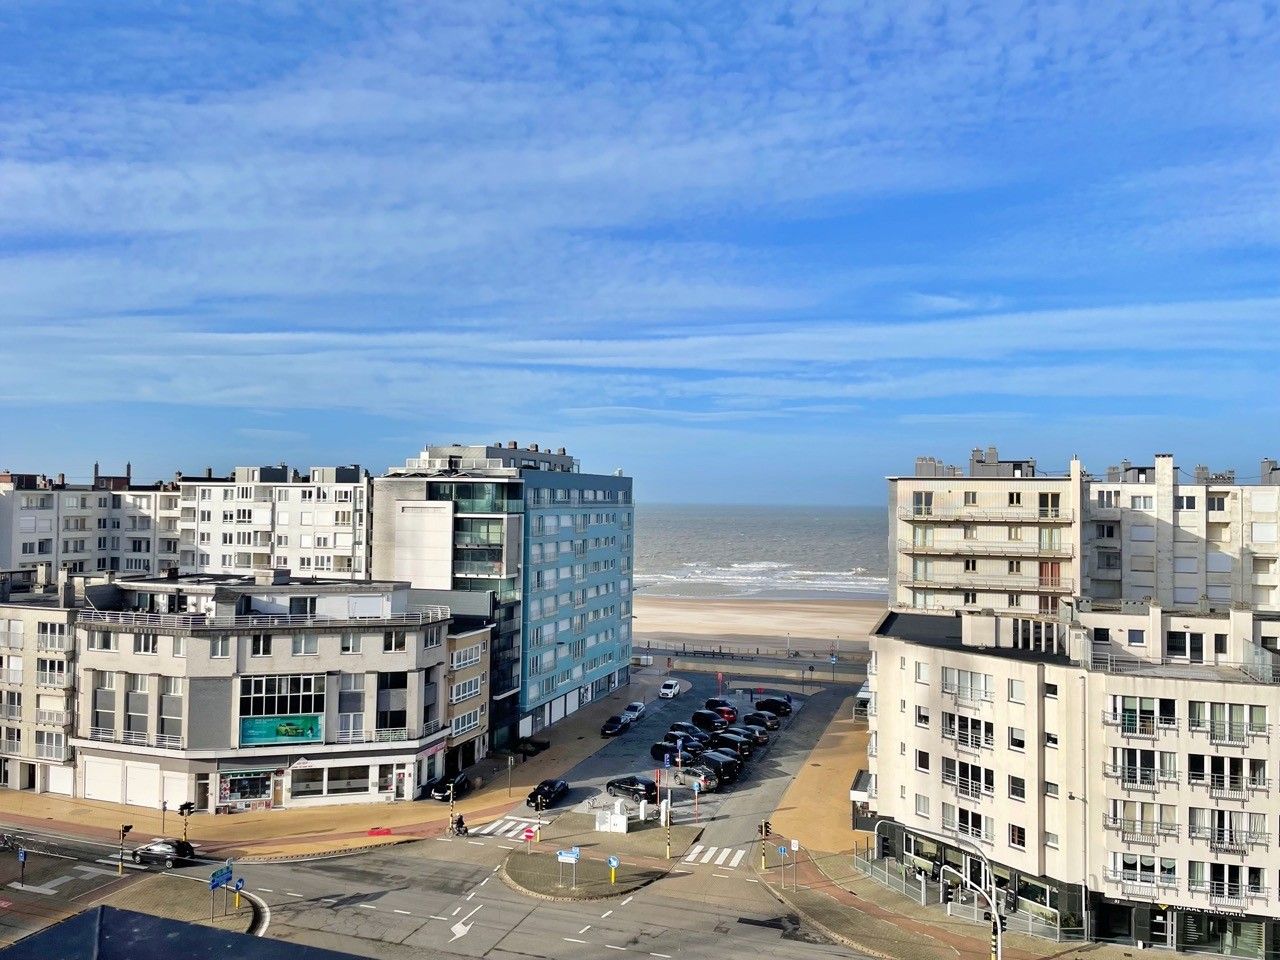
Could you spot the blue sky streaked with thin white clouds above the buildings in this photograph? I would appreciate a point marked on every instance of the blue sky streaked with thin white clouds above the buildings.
(758, 253)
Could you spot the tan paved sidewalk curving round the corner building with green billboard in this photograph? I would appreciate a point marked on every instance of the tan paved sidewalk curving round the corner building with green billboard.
(328, 830)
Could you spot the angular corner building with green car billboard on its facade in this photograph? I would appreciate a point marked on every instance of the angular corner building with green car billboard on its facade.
(257, 692)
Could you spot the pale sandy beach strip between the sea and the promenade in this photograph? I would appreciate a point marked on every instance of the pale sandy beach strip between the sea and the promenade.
(812, 625)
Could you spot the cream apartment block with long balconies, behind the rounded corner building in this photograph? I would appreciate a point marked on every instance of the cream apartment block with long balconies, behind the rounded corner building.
(1007, 537)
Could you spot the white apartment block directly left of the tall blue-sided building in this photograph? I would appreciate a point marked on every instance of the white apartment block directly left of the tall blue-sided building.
(272, 518)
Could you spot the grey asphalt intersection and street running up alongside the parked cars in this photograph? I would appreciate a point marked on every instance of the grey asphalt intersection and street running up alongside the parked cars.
(445, 895)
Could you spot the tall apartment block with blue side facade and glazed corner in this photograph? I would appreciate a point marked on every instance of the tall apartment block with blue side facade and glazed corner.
(551, 543)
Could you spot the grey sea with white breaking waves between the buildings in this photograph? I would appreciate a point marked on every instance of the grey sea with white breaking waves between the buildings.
(784, 554)
